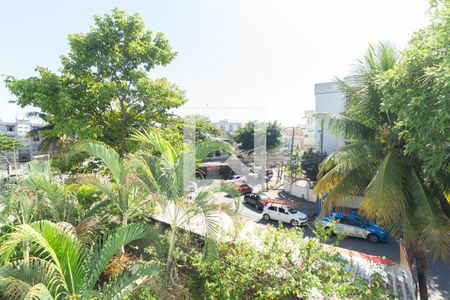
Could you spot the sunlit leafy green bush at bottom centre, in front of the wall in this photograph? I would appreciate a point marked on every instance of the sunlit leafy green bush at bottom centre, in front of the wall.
(280, 270)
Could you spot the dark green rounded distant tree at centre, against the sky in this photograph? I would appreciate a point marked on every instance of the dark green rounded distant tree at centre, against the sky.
(246, 135)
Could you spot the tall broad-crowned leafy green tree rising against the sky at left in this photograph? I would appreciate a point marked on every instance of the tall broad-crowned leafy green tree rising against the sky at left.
(103, 89)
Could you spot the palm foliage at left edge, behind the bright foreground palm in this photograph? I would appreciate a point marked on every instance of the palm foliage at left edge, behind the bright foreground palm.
(38, 195)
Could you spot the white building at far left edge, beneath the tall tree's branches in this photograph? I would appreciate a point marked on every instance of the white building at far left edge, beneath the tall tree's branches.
(20, 130)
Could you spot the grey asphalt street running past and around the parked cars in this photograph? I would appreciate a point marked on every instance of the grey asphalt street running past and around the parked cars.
(439, 275)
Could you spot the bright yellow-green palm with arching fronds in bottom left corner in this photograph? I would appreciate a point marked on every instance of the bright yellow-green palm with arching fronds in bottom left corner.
(61, 267)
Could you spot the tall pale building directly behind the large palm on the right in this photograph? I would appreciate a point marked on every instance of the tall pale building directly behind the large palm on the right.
(329, 99)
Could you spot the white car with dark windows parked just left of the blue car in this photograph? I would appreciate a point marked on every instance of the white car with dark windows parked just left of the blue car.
(279, 212)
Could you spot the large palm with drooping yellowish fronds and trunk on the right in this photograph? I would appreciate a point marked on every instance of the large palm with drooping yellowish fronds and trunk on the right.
(373, 163)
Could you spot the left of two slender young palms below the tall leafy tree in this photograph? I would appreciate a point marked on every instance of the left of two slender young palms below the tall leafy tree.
(120, 186)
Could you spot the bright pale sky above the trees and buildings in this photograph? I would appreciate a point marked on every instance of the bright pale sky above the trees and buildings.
(237, 59)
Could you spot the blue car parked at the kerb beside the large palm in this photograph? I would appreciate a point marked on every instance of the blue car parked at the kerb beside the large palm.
(354, 225)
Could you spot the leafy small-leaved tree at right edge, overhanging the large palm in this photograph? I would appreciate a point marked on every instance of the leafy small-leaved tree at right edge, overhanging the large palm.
(418, 92)
